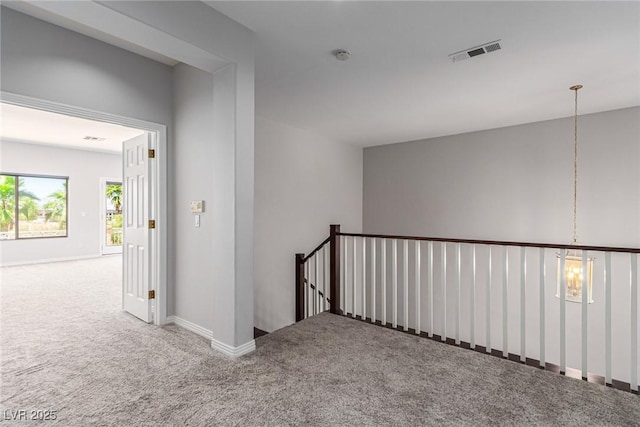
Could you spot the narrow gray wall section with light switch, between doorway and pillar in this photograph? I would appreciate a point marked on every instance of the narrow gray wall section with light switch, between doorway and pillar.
(193, 280)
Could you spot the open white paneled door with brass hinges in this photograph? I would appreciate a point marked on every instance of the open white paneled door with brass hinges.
(136, 232)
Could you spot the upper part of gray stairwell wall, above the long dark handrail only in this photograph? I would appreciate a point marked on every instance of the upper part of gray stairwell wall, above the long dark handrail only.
(513, 183)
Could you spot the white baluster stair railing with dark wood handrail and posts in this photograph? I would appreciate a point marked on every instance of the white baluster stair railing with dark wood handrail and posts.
(502, 298)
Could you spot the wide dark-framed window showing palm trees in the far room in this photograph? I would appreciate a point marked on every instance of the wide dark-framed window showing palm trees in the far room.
(32, 206)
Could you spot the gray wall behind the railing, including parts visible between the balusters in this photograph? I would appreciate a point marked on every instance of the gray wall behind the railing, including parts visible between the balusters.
(516, 184)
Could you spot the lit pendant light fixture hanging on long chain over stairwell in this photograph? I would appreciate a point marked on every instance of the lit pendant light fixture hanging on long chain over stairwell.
(576, 272)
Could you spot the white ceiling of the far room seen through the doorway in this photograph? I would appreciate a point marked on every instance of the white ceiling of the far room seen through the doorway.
(32, 126)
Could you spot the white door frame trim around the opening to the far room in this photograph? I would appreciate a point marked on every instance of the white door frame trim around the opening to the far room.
(158, 190)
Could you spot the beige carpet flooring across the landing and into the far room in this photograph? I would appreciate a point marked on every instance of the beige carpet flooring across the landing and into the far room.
(67, 347)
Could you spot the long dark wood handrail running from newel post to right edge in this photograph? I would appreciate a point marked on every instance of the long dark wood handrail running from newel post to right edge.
(499, 243)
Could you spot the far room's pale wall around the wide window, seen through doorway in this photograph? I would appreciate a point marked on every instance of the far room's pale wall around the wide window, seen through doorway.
(84, 169)
